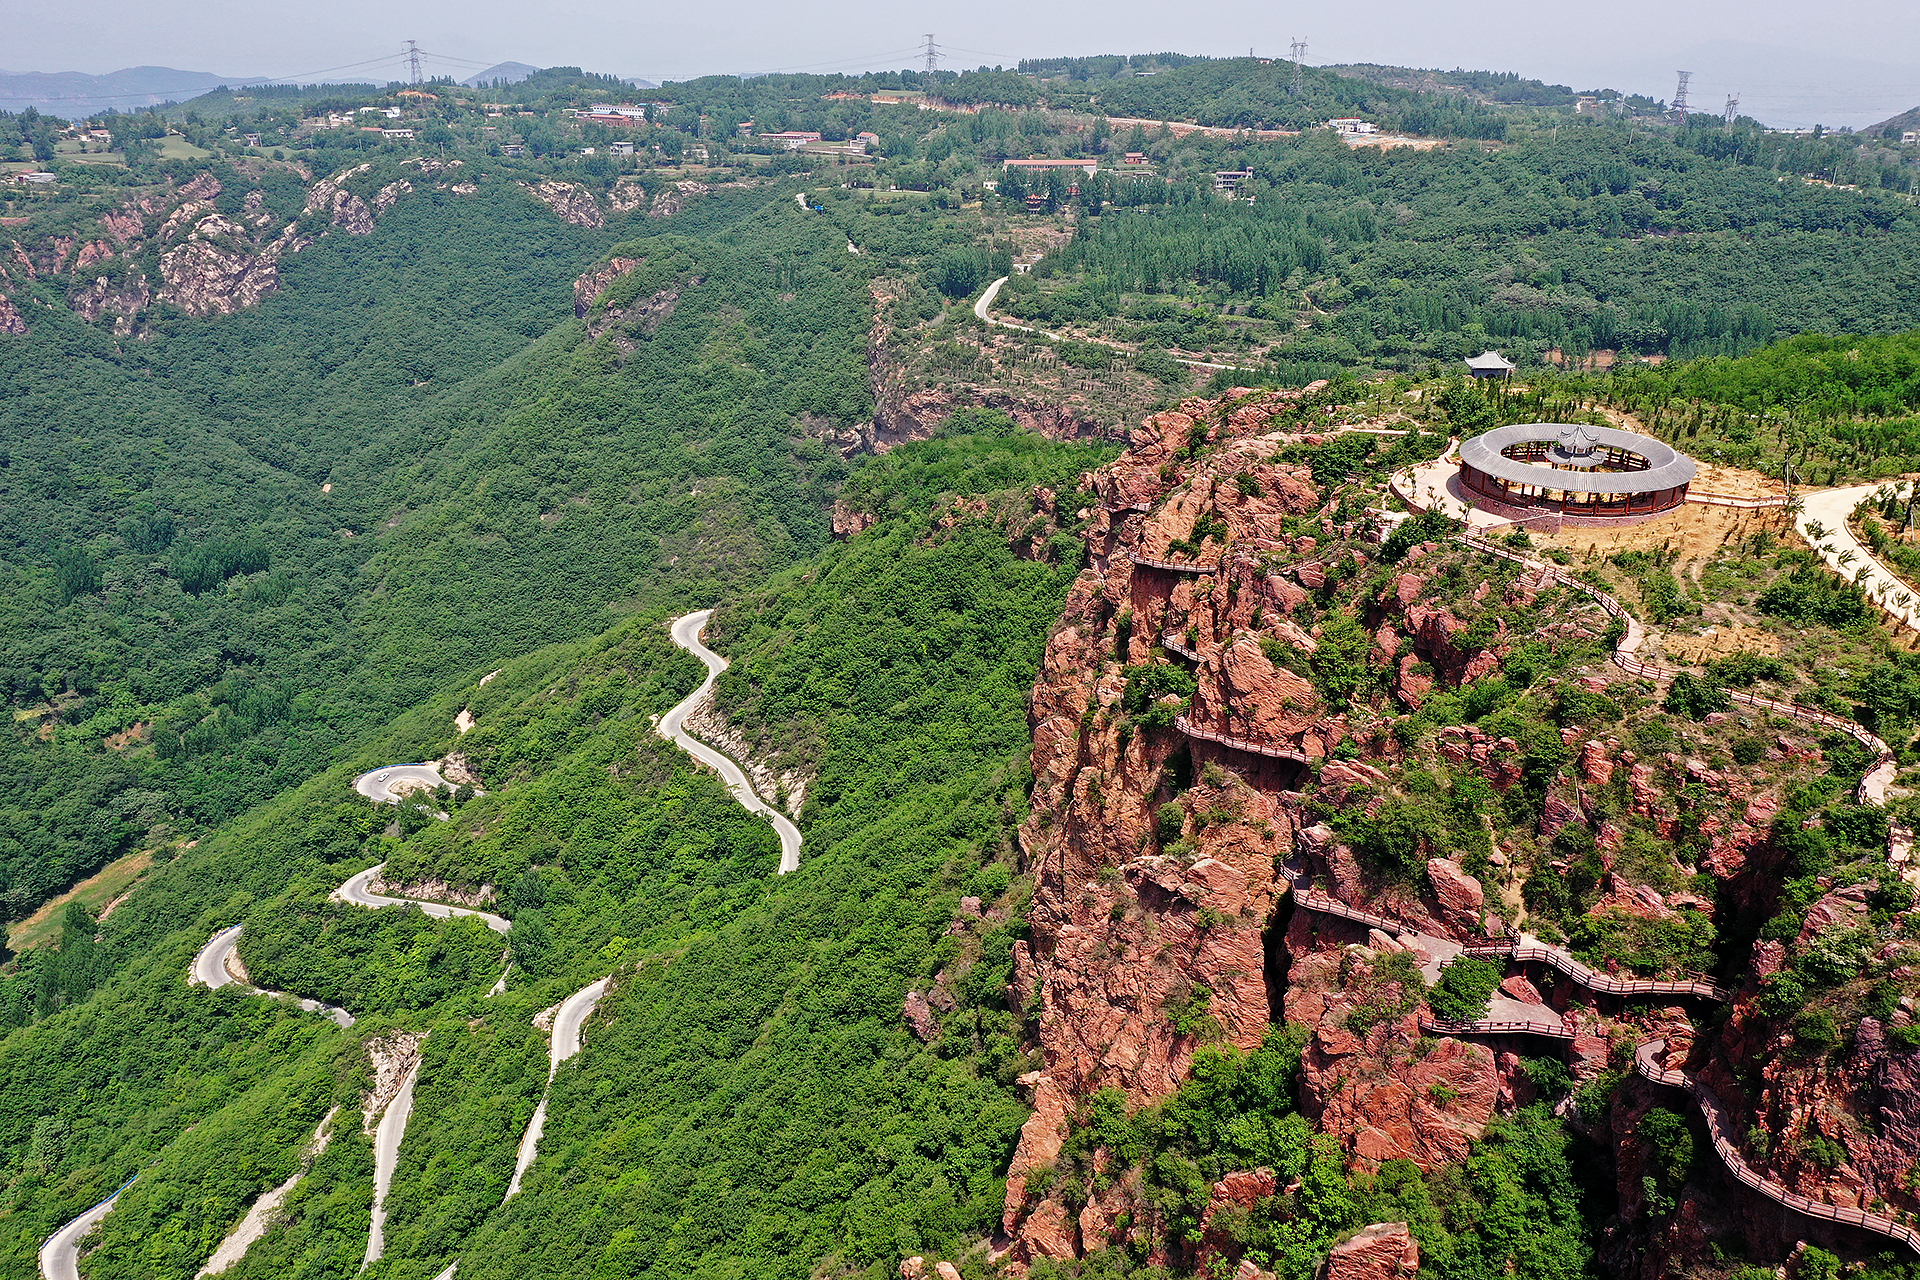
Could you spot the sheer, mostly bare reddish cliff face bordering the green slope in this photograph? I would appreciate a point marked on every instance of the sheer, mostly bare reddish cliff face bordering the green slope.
(1157, 838)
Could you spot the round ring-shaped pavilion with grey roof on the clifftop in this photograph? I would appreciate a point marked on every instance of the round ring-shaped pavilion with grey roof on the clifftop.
(1577, 473)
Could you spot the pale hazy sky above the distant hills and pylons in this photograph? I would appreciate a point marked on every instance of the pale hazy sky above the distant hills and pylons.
(1629, 45)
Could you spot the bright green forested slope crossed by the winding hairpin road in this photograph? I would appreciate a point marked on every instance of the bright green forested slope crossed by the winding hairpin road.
(752, 1095)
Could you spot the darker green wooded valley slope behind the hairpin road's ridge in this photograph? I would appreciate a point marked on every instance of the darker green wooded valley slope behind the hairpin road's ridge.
(233, 548)
